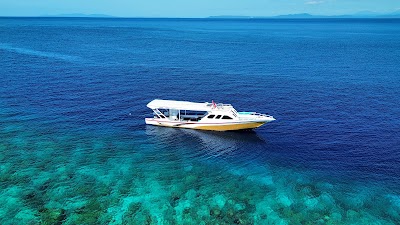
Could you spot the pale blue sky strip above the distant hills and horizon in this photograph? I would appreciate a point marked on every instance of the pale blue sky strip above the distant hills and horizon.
(193, 8)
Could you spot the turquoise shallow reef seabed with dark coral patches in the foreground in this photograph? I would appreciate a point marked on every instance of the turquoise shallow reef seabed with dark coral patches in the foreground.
(59, 179)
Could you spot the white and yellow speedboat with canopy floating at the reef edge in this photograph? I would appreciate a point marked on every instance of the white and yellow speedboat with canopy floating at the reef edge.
(203, 116)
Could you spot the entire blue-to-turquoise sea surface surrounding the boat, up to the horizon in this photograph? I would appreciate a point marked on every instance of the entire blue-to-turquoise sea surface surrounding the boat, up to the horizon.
(74, 148)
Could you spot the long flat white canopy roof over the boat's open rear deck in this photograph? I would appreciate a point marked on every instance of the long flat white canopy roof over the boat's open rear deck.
(180, 105)
